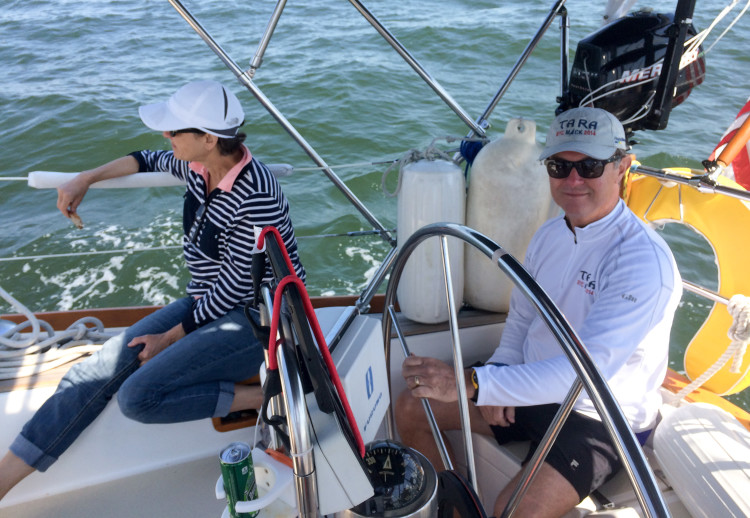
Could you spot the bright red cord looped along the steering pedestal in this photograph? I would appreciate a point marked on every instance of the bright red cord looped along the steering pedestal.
(315, 326)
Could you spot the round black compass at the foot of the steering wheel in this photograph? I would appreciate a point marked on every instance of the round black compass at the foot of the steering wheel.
(404, 481)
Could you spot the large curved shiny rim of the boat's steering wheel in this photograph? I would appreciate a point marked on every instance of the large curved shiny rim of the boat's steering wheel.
(624, 441)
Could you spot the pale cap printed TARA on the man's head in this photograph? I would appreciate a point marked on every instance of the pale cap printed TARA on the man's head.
(591, 131)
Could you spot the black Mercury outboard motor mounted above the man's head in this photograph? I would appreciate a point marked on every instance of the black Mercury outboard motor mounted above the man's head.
(617, 68)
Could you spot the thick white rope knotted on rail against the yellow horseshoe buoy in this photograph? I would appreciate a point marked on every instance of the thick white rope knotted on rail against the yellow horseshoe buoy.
(739, 334)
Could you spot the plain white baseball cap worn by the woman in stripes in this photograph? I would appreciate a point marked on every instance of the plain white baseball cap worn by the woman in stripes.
(204, 105)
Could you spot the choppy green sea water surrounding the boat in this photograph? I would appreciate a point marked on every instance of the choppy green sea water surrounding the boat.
(75, 71)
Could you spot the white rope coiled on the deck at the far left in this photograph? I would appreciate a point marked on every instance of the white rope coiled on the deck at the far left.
(42, 348)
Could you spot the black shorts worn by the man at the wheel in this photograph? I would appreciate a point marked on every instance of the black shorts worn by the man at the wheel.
(582, 452)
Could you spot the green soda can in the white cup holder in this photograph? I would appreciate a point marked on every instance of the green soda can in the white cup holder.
(239, 477)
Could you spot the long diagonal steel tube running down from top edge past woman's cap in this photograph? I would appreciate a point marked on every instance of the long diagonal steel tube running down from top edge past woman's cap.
(247, 81)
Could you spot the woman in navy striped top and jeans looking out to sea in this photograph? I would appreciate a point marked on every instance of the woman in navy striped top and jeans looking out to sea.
(185, 361)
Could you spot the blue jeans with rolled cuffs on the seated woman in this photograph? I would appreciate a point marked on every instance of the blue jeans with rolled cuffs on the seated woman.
(193, 378)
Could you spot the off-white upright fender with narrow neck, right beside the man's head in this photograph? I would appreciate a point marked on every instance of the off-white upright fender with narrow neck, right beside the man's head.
(508, 200)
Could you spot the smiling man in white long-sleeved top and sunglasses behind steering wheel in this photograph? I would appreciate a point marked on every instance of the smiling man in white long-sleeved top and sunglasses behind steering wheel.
(617, 283)
